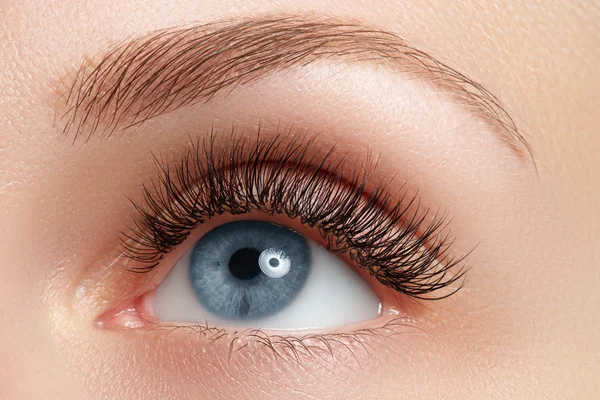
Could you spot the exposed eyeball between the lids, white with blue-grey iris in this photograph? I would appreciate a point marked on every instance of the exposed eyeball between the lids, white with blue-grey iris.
(264, 275)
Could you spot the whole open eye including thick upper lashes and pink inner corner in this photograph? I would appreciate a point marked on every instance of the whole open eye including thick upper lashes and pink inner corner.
(258, 274)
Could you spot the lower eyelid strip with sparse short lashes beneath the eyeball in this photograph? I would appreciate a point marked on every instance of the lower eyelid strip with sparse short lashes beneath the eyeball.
(354, 343)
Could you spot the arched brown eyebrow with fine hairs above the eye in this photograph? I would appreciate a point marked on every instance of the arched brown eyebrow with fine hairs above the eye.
(164, 70)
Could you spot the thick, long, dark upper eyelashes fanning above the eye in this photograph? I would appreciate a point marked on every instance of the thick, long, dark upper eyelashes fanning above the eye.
(275, 176)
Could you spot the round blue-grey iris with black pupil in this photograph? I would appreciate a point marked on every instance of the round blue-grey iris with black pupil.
(226, 274)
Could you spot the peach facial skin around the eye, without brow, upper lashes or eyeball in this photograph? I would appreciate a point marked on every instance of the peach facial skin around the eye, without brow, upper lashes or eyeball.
(523, 326)
